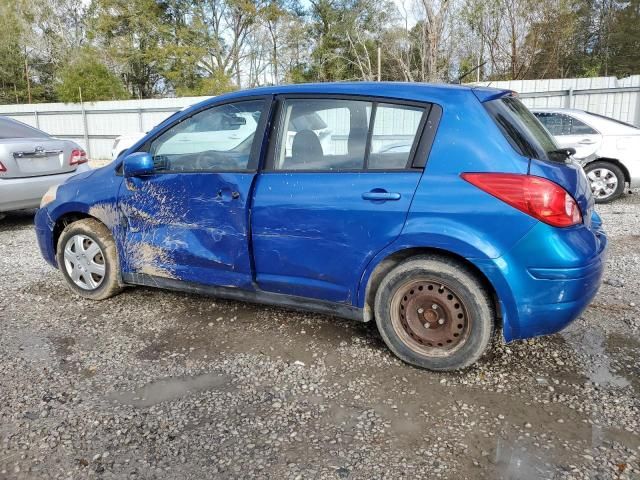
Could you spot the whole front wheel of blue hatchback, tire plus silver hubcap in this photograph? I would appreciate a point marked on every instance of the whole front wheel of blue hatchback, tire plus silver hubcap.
(87, 257)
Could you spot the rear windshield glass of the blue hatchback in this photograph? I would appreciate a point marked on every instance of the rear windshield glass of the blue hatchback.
(522, 129)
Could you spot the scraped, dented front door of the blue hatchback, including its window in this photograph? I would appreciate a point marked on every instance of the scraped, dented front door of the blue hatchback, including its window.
(188, 220)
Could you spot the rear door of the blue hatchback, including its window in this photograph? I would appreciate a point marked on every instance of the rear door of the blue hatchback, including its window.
(335, 191)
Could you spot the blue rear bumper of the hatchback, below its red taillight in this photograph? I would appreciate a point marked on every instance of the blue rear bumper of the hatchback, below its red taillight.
(562, 273)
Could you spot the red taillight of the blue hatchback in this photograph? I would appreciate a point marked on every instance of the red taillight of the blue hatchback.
(541, 198)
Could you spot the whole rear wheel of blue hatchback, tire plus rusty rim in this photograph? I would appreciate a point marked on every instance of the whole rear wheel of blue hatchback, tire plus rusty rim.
(456, 291)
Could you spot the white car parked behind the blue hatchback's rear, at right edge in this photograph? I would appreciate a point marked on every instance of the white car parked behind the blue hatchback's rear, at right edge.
(608, 149)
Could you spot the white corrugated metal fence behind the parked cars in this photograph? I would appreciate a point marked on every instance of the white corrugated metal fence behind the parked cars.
(95, 125)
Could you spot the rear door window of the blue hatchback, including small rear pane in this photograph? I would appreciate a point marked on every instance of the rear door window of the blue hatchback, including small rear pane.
(335, 134)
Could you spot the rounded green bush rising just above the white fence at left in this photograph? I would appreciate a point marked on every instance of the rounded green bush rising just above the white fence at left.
(88, 77)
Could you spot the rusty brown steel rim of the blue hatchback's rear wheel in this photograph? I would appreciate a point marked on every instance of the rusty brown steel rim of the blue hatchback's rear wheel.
(430, 318)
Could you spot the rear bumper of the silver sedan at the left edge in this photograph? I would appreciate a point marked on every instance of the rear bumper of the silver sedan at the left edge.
(19, 193)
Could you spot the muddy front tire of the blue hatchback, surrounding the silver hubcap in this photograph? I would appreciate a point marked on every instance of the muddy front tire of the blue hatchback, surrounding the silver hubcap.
(97, 232)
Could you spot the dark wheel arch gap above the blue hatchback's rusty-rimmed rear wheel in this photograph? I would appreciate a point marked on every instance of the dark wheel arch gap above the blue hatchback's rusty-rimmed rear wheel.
(386, 264)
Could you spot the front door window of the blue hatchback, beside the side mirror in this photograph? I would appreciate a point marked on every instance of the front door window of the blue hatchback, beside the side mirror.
(217, 139)
